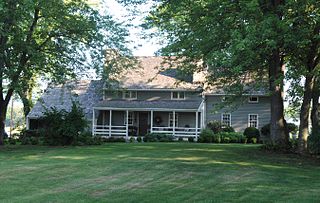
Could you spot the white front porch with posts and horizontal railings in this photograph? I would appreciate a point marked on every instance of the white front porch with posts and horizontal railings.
(138, 122)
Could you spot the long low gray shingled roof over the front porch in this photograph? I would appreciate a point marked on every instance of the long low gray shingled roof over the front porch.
(192, 105)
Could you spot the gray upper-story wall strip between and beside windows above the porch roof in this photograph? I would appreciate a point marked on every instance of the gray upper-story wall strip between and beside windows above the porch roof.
(152, 95)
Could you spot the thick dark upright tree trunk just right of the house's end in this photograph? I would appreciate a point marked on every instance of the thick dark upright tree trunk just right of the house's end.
(278, 126)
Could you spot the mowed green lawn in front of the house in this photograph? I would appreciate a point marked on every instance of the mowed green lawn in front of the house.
(156, 172)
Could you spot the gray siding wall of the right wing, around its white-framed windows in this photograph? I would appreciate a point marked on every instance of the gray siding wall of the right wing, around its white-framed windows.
(239, 116)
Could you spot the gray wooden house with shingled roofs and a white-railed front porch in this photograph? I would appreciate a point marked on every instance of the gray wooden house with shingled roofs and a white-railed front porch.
(151, 100)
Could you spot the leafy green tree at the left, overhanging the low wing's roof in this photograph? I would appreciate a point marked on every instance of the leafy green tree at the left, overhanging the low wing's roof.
(52, 38)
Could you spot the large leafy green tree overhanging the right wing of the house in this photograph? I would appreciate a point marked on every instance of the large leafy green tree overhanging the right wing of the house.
(239, 42)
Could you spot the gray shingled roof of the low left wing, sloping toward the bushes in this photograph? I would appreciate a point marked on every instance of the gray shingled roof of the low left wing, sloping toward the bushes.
(86, 92)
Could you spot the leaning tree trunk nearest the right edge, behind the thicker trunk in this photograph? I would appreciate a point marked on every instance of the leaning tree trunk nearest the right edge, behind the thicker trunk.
(305, 113)
